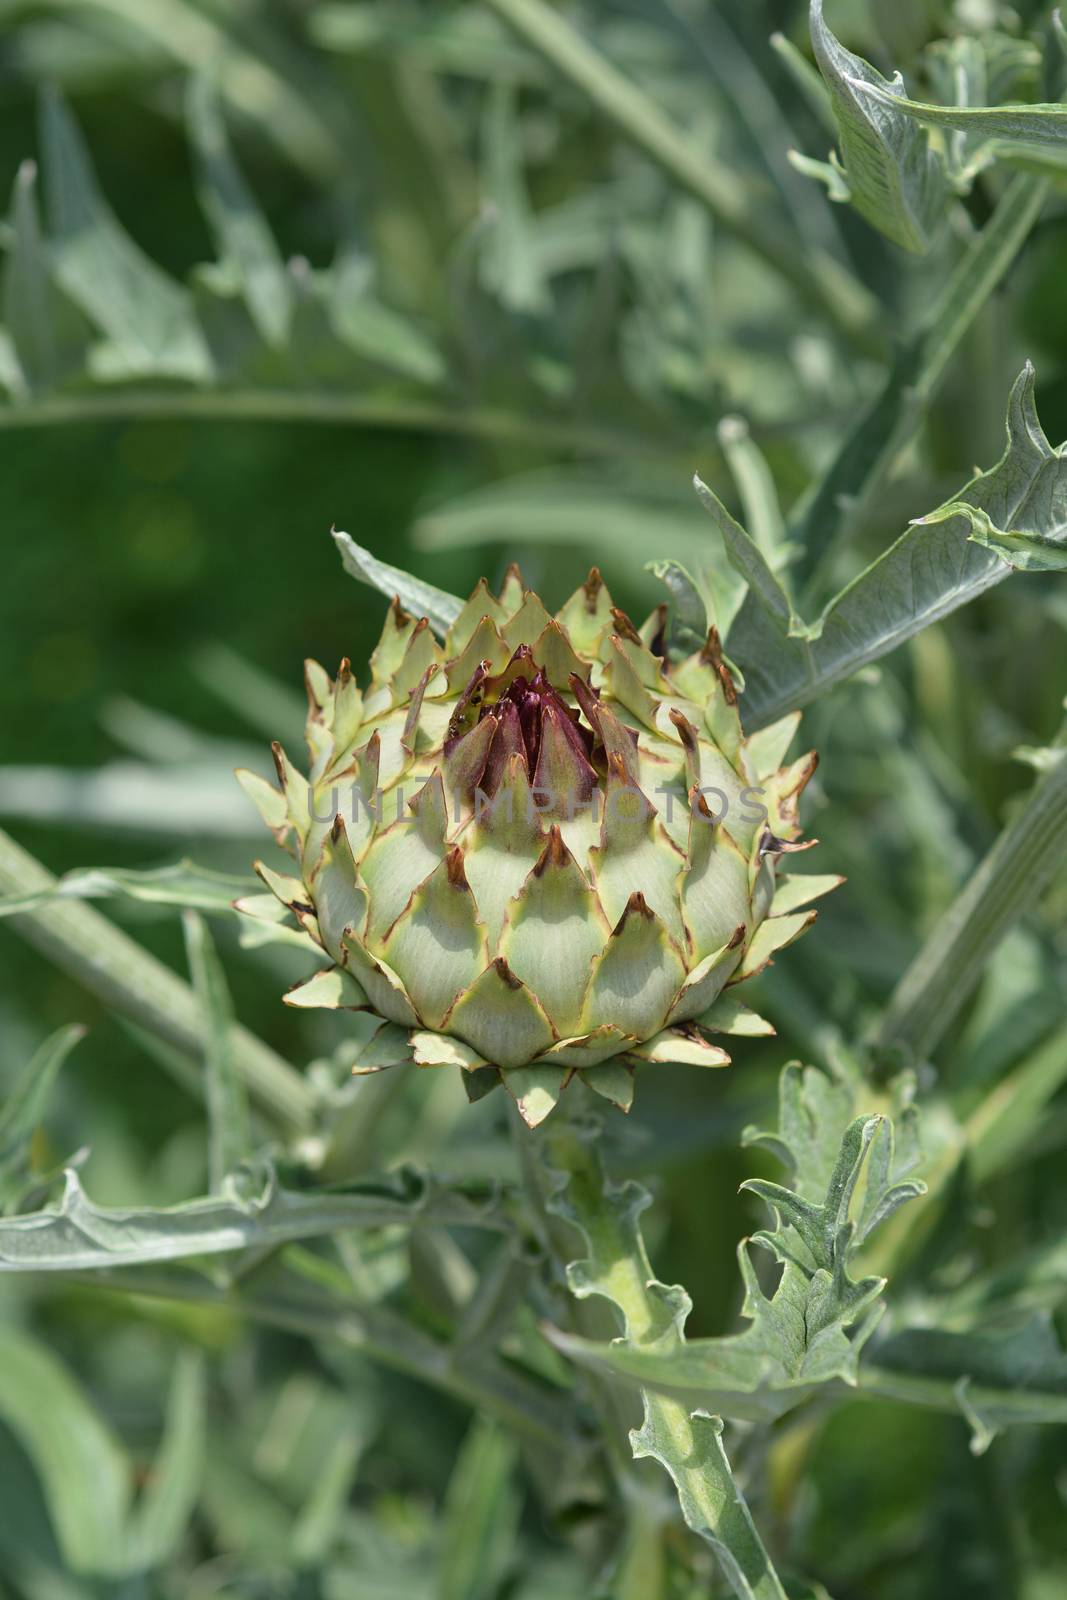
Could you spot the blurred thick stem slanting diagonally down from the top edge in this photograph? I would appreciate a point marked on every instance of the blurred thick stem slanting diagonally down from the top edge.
(820, 278)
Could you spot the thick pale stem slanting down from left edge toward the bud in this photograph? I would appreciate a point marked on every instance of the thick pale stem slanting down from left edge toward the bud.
(108, 962)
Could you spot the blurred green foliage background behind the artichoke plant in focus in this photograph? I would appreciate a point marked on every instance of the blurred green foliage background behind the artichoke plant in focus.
(150, 559)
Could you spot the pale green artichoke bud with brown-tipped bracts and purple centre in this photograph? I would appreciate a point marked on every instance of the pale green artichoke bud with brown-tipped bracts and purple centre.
(540, 847)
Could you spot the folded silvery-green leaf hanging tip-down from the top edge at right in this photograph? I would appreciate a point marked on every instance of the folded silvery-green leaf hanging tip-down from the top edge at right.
(897, 182)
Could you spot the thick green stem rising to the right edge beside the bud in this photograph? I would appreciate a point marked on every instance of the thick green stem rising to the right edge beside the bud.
(1005, 886)
